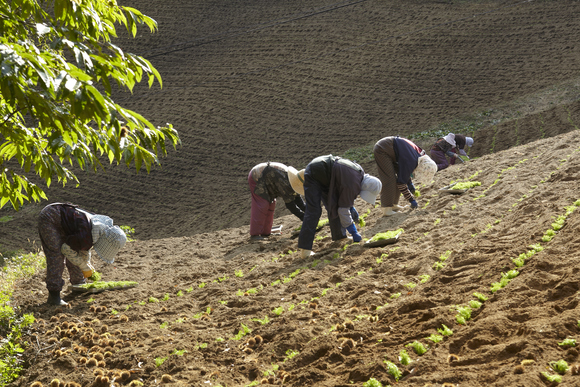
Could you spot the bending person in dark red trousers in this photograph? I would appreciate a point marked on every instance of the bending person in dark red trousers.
(267, 182)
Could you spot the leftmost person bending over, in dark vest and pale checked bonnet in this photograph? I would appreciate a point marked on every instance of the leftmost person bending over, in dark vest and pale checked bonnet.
(67, 233)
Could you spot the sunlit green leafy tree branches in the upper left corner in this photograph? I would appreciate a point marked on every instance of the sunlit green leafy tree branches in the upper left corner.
(58, 64)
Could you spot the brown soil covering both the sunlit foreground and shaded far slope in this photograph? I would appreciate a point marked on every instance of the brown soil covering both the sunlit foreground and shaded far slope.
(259, 86)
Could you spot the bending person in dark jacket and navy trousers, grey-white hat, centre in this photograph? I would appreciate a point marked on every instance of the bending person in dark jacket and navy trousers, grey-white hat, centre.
(336, 182)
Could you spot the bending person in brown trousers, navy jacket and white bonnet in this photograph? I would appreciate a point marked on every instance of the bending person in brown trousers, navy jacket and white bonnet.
(399, 161)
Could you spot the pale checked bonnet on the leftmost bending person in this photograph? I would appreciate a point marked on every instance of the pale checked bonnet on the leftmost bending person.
(107, 239)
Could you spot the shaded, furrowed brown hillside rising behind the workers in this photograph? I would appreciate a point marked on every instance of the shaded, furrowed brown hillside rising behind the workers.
(247, 82)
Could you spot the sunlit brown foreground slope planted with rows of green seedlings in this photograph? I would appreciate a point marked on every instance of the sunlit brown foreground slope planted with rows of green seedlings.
(213, 285)
